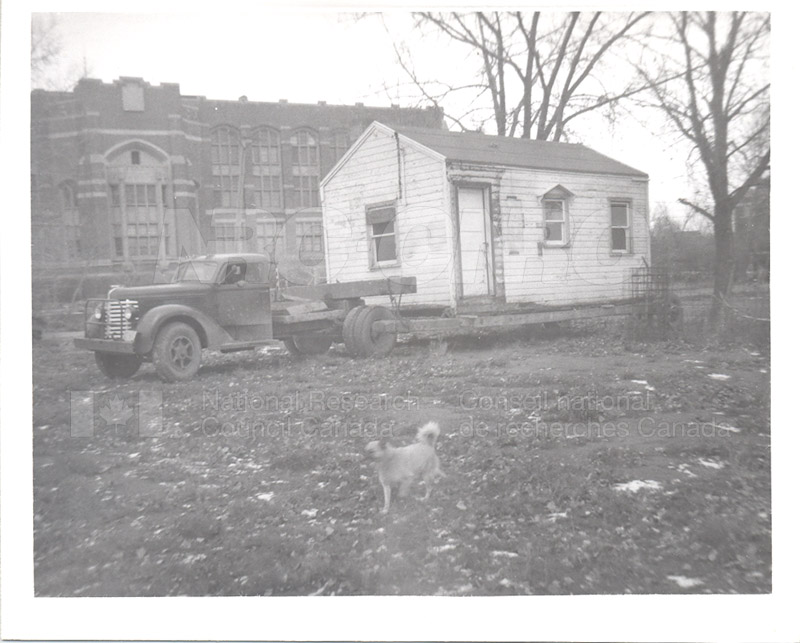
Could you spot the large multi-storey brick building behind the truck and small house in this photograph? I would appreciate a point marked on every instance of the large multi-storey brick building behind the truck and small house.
(128, 176)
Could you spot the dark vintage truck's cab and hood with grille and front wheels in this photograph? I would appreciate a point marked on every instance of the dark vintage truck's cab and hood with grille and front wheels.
(218, 301)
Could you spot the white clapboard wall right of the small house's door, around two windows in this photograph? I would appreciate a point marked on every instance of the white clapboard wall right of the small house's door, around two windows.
(585, 269)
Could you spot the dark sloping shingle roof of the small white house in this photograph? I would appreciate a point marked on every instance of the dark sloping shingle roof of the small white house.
(499, 150)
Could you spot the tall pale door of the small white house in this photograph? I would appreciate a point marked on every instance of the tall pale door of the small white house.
(474, 242)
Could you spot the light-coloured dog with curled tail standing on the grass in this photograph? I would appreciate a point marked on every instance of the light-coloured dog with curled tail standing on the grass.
(401, 466)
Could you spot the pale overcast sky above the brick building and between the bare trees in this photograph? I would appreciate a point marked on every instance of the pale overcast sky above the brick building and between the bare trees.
(312, 55)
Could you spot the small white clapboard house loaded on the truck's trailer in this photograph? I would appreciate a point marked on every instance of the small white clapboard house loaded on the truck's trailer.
(484, 220)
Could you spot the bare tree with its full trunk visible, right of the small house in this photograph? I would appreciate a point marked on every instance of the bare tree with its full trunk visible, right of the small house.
(720, 103)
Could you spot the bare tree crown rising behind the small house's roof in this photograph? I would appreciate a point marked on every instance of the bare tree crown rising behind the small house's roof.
(540, 71)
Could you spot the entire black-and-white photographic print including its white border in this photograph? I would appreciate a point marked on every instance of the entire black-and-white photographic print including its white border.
(393, 302)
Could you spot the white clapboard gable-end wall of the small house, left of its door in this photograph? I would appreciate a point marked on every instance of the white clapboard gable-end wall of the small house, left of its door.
(424, 237)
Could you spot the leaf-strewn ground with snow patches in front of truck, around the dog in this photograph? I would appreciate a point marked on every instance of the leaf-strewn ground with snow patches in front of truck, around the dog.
(576, 463)
